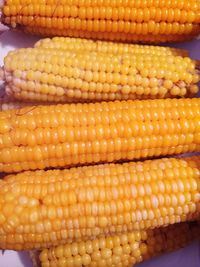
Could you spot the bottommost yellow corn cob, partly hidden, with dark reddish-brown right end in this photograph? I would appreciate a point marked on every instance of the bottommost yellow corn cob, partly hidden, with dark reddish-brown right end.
(121, 250)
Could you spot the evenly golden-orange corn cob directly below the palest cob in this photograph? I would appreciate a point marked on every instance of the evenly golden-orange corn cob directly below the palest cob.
(70, 134)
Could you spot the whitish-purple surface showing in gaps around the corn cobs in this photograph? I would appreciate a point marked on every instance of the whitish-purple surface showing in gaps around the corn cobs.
(189, 257)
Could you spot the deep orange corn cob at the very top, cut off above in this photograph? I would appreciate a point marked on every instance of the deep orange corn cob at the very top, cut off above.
(153, 21)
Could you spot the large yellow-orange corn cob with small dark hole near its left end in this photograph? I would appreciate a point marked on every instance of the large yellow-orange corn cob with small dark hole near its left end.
(42, 209)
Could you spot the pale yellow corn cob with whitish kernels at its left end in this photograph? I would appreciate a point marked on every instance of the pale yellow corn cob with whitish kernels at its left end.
(73, 75)
